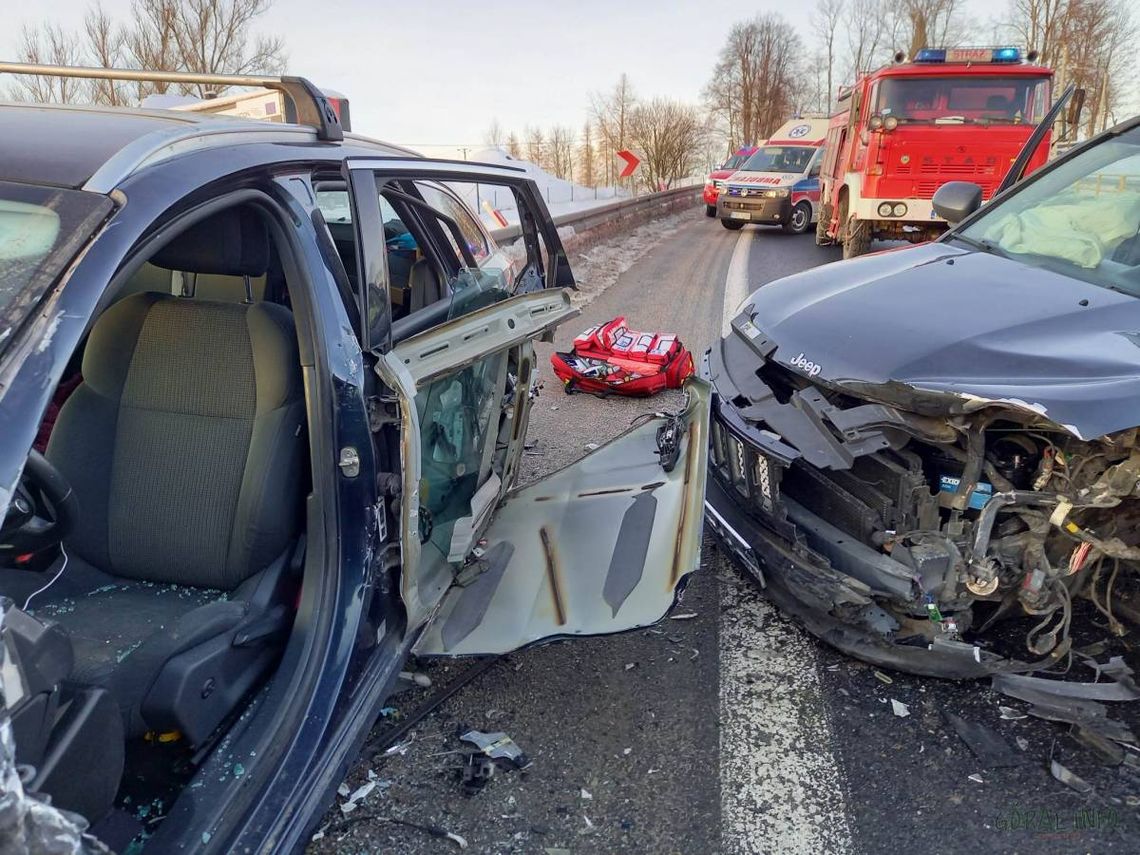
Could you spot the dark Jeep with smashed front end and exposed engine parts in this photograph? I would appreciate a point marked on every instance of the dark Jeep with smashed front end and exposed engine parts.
(915, 446)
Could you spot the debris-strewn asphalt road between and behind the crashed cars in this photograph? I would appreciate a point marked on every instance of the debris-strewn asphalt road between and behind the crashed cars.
(730, 731)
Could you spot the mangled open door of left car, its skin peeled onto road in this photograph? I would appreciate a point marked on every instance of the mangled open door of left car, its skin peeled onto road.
(600, 547)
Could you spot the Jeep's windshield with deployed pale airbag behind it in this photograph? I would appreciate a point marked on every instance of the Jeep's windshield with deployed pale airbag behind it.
(1081, 219)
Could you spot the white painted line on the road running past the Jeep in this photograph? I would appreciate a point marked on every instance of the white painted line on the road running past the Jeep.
(781, 789)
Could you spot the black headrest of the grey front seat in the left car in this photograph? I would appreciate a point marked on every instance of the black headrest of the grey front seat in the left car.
(232, 243)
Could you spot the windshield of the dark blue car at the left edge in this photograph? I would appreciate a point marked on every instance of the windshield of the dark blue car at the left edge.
(42, 229)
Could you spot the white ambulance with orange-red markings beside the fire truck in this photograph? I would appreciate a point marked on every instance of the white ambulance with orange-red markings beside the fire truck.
(779, 185)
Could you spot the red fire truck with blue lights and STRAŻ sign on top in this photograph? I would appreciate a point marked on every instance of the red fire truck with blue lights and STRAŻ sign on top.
(905, 131)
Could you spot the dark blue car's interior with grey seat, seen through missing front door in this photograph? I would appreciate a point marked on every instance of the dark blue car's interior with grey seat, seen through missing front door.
(160, 597)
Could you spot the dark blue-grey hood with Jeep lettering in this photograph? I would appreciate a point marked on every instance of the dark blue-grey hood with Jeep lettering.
(947, 320)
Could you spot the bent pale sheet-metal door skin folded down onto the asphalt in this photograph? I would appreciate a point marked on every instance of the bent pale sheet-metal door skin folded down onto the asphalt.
(601, 547)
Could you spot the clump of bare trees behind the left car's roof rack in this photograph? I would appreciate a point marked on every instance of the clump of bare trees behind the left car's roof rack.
(210, 37)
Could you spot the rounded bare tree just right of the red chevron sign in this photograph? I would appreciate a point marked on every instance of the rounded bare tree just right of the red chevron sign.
(670, 136)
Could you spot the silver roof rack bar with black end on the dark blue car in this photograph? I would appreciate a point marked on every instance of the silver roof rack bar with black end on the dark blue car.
(310, 103)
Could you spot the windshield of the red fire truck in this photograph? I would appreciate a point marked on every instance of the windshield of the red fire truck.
(960, 100)
